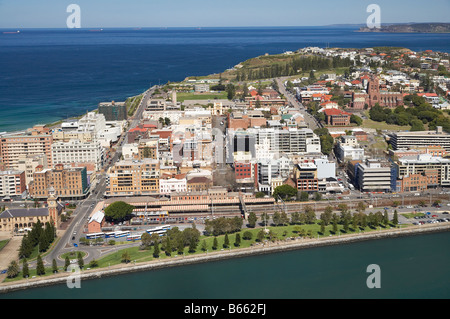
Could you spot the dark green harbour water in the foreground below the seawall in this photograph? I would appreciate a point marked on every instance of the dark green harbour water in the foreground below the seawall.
(414, 267)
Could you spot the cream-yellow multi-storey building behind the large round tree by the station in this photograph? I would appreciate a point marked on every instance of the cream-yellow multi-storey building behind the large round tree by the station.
(134, 177)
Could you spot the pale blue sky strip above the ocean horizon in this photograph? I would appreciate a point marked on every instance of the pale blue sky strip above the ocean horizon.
(213, 13)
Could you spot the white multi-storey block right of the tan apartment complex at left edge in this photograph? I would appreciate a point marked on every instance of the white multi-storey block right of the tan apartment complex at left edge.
(78, 153)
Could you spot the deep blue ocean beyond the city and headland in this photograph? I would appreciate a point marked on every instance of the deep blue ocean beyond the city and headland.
(50, 74)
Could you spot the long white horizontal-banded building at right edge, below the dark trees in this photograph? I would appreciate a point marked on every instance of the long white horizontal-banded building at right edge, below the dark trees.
(403, 140)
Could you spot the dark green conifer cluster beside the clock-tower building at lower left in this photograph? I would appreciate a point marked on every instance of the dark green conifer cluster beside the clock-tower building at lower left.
(38, 236)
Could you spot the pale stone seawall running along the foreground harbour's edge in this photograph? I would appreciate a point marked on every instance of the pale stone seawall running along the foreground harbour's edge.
(276, 247)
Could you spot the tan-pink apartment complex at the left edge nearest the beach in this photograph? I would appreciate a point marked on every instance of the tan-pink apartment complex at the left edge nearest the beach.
(35, 141)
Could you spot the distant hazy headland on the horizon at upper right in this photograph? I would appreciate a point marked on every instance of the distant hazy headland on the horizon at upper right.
(411, 28)
